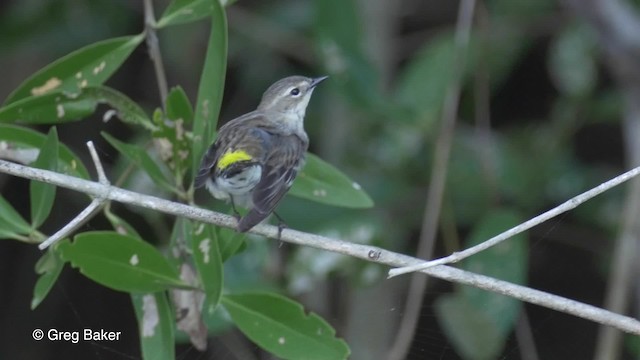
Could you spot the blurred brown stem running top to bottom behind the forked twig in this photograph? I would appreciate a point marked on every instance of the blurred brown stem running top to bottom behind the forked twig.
(435, 193)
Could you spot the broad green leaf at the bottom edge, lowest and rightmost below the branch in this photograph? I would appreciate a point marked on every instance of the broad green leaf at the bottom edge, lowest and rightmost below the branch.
(280, 326)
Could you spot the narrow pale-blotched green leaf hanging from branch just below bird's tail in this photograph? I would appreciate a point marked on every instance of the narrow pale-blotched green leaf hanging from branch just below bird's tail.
(206, 255)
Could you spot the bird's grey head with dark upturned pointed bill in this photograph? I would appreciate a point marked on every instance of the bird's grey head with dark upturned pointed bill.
(289, 96)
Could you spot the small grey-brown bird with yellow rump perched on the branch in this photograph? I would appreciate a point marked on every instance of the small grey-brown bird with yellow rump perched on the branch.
(256, 156)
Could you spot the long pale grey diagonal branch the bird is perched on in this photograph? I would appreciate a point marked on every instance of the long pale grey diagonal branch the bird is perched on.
(365, 252)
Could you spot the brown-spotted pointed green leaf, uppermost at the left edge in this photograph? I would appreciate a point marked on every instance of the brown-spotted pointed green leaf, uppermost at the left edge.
(89, 66)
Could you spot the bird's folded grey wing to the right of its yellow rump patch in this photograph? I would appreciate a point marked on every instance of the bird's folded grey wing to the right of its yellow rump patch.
(279, 171)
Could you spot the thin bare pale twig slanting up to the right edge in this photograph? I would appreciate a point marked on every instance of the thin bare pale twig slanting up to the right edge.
(564, 207)
